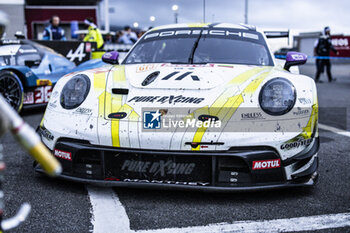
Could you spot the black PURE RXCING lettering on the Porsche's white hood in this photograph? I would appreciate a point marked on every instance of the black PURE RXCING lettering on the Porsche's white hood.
(166, 99)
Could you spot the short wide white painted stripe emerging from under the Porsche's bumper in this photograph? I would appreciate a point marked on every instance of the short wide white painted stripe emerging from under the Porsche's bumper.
(108, 214)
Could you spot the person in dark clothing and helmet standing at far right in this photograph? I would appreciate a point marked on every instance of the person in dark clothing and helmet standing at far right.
(322, 48)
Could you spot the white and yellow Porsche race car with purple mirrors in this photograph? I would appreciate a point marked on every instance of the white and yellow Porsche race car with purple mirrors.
(199, 106)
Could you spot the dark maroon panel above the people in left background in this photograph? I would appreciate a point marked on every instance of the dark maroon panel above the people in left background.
(66, 13)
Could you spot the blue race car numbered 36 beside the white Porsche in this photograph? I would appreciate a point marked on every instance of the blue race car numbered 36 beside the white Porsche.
(28, 71)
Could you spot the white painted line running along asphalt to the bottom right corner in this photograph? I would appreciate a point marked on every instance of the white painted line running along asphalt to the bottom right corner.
(310, 223)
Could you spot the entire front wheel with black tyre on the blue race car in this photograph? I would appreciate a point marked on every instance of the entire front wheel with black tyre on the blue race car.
(12, 89)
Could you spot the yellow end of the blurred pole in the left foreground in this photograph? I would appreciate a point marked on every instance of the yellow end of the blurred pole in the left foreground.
(49, 163)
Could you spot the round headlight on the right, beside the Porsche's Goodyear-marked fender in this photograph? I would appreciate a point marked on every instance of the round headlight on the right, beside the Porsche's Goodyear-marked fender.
(277, 96)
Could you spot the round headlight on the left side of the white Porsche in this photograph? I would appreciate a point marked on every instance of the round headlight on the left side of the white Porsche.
(75, 91)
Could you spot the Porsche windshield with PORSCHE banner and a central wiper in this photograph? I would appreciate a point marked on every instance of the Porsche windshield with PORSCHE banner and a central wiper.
(201, 46)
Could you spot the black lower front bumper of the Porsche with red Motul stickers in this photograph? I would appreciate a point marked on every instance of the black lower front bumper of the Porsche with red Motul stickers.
(230, 170)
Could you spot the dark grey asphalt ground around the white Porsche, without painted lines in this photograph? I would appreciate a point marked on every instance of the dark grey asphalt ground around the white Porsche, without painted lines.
(61, 206)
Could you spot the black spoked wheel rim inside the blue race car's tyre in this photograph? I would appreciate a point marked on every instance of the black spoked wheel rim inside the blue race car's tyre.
(11, 90)
